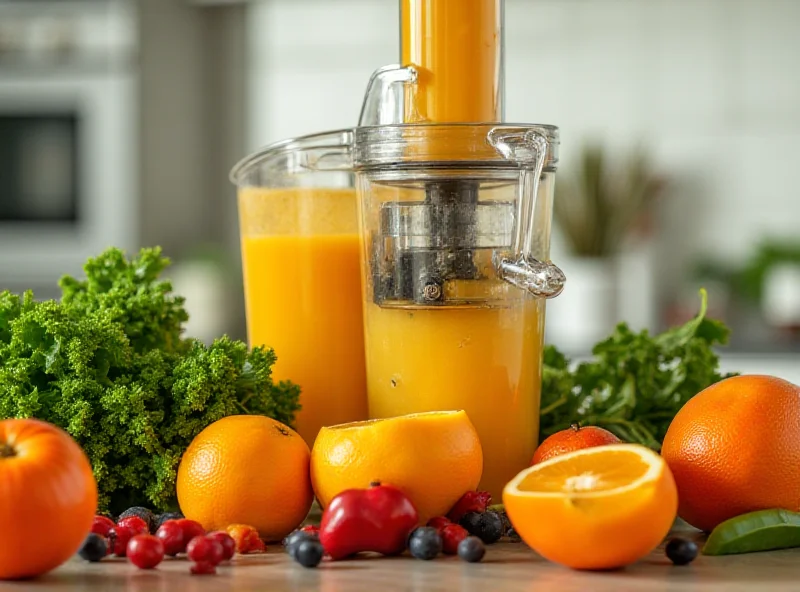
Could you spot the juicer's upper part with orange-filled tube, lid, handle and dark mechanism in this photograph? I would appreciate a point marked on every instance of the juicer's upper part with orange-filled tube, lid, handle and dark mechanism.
(452, 72)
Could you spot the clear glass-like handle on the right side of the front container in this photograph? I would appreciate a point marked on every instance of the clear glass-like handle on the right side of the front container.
(528, 149)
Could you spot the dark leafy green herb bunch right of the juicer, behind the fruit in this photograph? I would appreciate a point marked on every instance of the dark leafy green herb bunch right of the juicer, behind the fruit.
(635, 383)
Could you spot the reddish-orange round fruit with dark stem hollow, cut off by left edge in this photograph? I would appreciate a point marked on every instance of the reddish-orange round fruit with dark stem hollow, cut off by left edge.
(48, 497)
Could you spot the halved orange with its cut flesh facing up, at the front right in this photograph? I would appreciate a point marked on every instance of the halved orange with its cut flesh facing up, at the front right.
(597, 508)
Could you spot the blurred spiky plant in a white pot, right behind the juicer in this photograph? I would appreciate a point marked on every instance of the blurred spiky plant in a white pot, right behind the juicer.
(600, 207)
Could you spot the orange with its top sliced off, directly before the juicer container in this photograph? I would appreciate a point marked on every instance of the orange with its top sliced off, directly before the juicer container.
(434, 458)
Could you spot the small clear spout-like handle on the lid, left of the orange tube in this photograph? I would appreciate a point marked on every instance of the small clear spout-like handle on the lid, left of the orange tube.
(384, 100)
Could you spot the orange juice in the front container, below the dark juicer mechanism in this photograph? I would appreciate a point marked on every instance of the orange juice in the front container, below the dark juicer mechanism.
(486, 361)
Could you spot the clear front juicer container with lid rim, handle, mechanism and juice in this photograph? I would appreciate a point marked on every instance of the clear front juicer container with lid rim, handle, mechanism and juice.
(455, 227)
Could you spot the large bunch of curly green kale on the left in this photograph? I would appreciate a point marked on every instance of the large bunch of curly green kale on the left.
(109, 365)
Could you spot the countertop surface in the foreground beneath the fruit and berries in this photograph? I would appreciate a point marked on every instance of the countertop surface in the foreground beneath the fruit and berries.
(507, 566)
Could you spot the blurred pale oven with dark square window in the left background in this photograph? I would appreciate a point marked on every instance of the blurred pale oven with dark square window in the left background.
(68, 140)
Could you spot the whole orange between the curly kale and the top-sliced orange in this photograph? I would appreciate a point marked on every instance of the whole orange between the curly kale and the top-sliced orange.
(246, 469)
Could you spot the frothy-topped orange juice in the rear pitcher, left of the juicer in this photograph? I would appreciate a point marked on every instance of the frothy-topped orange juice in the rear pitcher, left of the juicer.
(303, 297)
